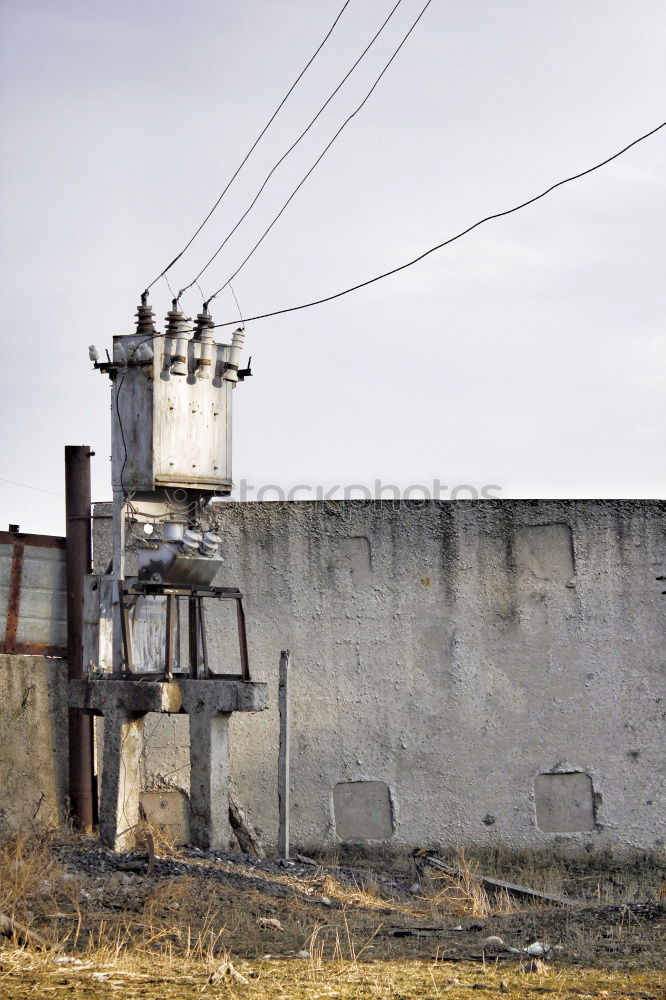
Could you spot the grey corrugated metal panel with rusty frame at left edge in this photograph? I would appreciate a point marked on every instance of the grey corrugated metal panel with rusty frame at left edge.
(33, 594)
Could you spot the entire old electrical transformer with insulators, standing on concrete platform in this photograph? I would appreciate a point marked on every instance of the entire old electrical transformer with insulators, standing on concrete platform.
(171, 405)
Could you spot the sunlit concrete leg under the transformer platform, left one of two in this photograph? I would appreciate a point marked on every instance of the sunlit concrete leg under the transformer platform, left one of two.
(121, 779)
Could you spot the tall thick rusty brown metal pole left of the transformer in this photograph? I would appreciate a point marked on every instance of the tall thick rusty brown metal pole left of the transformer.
(79, 559)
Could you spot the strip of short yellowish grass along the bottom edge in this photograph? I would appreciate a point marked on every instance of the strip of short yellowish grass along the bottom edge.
(152, 977)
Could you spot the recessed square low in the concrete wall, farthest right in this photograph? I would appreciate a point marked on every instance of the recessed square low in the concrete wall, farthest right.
(564, 802)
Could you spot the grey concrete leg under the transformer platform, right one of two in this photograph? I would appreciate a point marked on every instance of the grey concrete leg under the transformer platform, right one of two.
(209, 780)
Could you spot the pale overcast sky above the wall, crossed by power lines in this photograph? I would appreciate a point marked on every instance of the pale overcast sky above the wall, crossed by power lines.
(529, 355)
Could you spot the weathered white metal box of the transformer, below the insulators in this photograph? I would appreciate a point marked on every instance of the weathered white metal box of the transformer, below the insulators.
(170, 430)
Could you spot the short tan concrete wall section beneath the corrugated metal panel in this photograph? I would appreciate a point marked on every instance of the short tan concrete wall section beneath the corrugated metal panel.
(33, 740)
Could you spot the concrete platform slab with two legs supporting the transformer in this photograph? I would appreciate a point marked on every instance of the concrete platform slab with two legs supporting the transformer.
(124, 704)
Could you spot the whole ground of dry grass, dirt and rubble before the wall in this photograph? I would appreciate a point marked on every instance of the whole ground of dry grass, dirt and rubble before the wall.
(333, 926)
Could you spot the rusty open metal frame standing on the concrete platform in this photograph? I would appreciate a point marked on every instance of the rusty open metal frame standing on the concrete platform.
(199, 666)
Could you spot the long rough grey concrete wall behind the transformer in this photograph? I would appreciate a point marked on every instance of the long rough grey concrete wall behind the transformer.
(470, 672)
